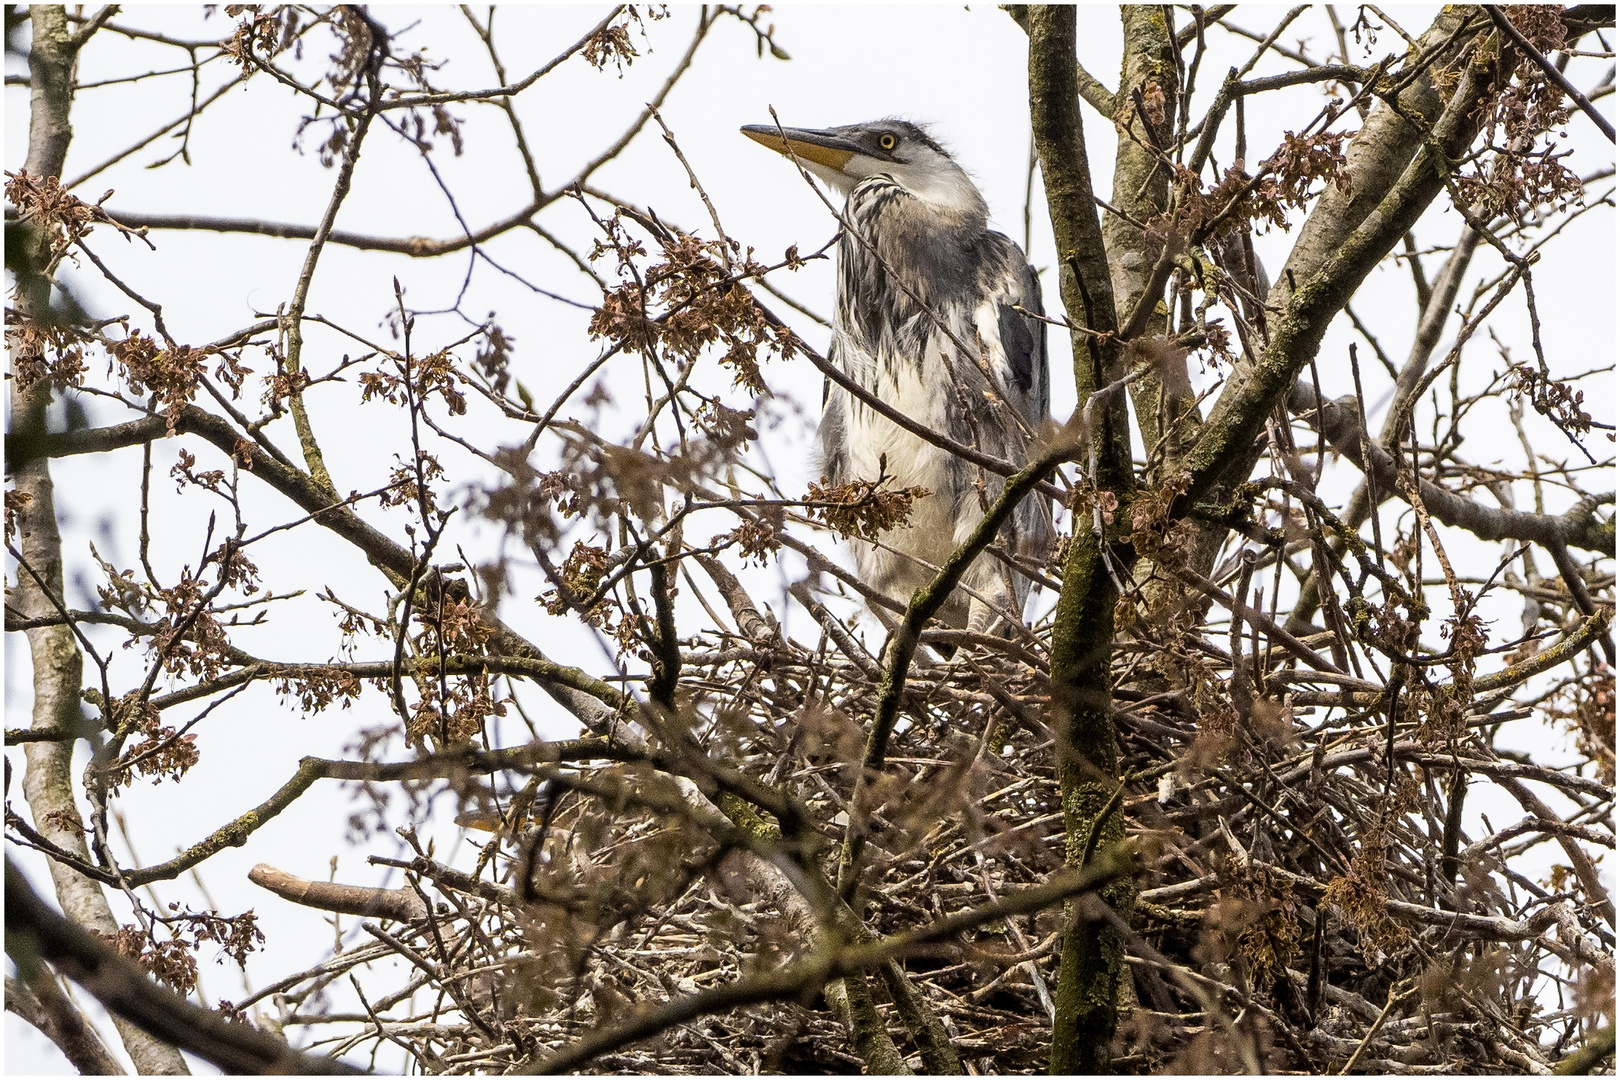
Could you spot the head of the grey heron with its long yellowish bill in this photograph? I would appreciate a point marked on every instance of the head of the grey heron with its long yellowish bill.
(885, 148)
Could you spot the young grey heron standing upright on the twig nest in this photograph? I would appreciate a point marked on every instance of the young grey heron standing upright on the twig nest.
(931, 318)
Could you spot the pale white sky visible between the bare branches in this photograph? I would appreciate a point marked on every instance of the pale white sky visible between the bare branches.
(960, 69)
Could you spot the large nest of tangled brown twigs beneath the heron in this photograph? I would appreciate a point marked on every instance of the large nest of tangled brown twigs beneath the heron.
(1302, 903)
